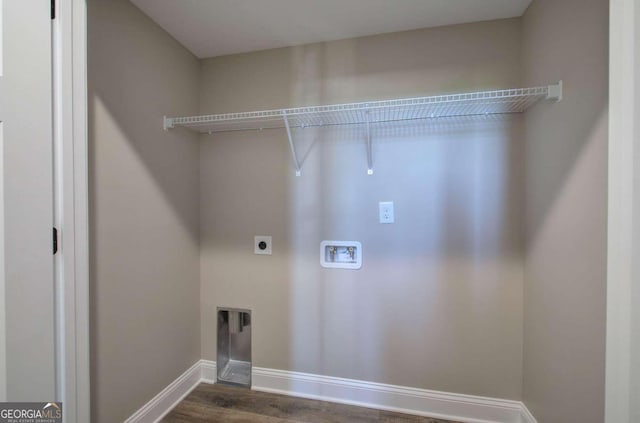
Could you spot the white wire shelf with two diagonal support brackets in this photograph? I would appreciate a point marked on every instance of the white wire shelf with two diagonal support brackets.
(515, 100)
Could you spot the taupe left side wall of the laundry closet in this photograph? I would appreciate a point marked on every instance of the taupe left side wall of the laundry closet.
(145, 327)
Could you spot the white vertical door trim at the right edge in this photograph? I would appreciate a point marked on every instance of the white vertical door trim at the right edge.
(623, 244)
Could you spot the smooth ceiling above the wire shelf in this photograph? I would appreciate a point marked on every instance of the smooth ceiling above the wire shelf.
(218, 27)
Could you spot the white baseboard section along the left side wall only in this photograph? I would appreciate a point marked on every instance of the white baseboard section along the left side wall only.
(161, 404)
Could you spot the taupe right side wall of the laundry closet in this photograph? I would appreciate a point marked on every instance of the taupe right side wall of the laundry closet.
(566, 198)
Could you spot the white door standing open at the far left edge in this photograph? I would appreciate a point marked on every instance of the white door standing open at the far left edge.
(27, 286)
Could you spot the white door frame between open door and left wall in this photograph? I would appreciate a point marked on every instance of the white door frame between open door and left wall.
(71, 211)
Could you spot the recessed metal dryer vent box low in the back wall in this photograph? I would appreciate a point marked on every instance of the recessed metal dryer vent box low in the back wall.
(234, 347)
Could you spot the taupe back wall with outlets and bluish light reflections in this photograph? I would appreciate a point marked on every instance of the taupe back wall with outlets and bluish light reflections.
(438, 301)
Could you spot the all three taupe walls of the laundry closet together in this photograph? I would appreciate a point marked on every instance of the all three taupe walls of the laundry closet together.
(438, 303)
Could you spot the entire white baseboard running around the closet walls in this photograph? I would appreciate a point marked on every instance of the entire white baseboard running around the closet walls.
(443, 405)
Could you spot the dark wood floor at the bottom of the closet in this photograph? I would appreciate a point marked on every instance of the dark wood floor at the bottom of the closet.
(218, 403)
